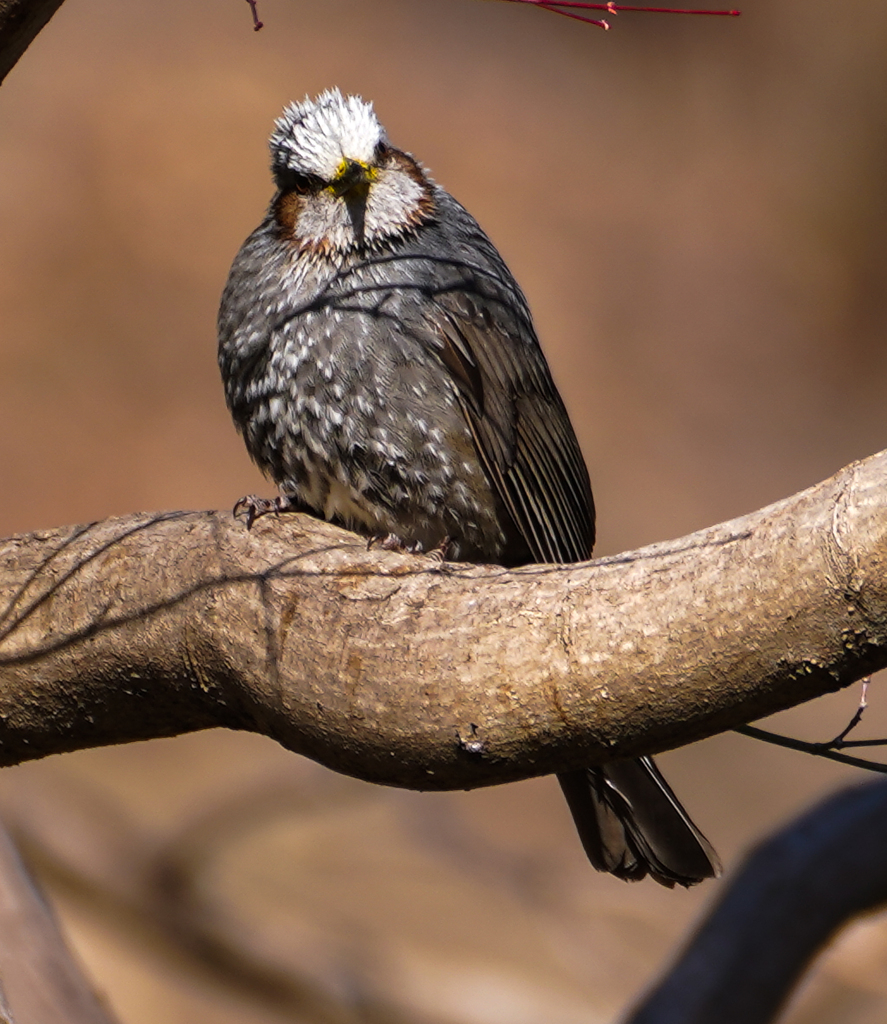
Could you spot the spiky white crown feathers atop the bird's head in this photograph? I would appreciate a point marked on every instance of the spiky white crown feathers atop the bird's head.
(315, 137)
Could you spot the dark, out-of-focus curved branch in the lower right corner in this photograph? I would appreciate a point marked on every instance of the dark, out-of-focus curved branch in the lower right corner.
(789, 899)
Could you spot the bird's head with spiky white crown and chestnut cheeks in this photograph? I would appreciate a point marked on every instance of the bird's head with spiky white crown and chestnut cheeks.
(342, 185)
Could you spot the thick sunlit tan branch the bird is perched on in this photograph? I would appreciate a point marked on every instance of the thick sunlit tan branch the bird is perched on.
(403, 671)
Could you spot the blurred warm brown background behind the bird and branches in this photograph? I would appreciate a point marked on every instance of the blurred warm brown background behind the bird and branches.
(698, 214)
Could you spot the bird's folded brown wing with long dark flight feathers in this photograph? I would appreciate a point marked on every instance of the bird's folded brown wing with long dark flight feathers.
(521, 429)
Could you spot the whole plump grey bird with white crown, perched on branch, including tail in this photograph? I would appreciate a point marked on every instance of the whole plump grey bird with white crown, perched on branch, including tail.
(382, 364)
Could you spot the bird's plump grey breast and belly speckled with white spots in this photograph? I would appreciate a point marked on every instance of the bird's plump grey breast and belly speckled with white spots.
(333, 375)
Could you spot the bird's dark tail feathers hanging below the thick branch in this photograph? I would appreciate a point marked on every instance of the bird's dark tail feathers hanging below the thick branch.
(631, 825)
